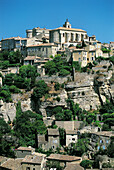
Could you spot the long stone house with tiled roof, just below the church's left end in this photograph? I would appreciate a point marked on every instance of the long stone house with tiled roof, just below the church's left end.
(42, 50)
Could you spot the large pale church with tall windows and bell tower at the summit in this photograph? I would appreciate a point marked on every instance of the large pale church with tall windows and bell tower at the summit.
(66, 35)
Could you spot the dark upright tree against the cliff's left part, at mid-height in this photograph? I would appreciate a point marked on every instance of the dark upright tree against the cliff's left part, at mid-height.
(40, 90)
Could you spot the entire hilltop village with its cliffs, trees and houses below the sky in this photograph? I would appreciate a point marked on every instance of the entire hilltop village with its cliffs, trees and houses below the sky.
(56, 101)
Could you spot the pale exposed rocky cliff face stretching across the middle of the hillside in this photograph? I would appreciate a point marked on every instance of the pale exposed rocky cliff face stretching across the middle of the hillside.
(89, 90)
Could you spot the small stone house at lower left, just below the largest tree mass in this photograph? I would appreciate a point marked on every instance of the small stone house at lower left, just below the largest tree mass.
(21, 152)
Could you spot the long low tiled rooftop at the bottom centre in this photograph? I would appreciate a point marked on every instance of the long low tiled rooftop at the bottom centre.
(60, 157)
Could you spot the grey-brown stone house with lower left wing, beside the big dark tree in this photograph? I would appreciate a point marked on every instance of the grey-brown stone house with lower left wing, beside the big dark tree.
(51, 140)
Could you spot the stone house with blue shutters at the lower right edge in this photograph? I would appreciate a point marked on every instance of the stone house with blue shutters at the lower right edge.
(102, 139)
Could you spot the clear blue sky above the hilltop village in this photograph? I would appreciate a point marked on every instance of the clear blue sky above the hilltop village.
(94, 16)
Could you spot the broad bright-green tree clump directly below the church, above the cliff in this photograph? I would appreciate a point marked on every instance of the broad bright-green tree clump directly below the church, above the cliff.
(57, 65)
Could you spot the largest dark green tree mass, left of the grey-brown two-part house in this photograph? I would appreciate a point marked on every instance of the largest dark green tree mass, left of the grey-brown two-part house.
(26, 127)
